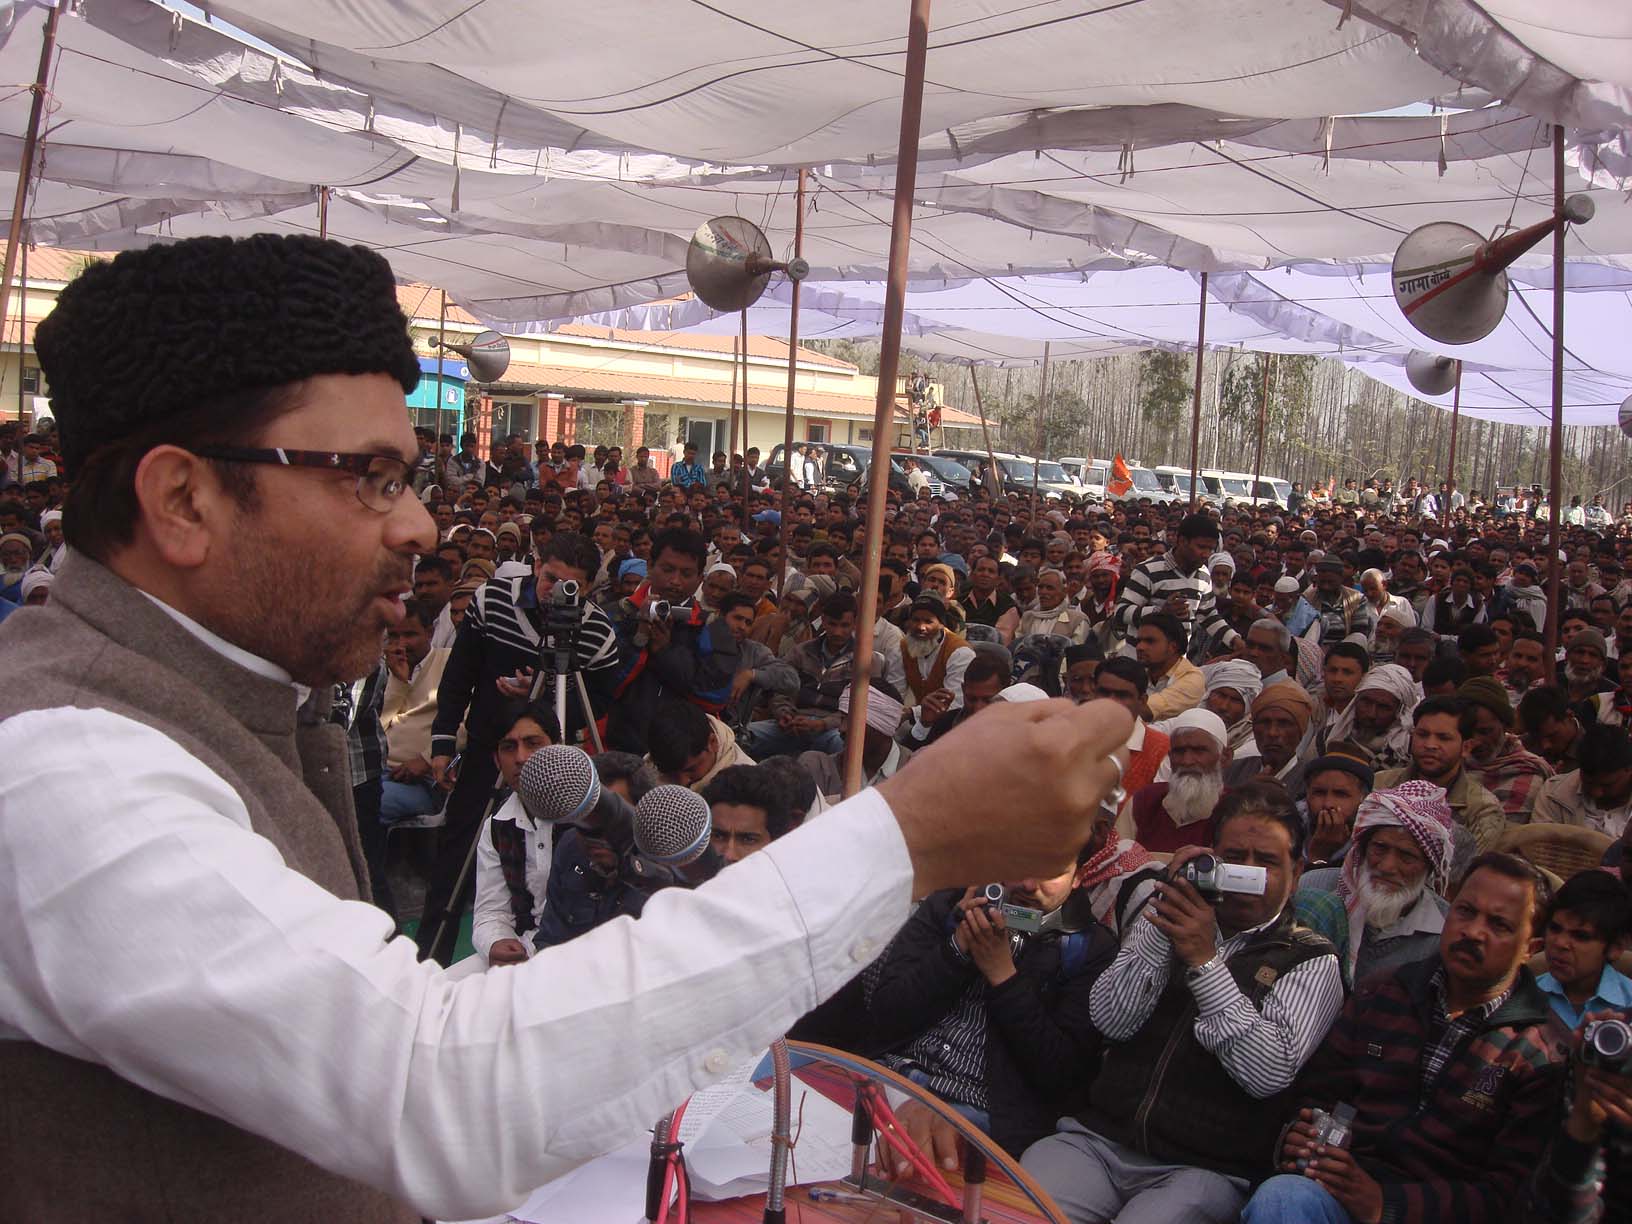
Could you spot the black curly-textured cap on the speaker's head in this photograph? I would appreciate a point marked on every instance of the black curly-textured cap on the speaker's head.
(135, 340)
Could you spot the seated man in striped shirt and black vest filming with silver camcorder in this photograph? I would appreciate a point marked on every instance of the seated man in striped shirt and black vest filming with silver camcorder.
(1208, 1013)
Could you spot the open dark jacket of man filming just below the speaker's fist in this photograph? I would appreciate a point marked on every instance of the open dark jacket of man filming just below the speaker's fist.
(1042, 1050)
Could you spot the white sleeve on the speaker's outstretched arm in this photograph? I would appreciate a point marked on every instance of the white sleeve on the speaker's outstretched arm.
(146, 928)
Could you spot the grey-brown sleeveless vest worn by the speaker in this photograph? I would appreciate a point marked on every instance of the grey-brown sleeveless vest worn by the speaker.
(78, 1143)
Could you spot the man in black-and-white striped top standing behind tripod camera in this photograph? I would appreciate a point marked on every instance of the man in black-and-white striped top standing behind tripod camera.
(494, 662)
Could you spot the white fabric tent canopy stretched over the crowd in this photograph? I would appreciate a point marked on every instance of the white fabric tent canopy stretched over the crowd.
(1083, 162)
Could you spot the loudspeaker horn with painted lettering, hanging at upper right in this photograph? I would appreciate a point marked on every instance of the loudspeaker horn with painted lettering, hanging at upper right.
(1452, 283)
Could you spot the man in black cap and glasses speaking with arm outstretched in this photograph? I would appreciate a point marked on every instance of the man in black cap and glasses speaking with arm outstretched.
(200, 1019)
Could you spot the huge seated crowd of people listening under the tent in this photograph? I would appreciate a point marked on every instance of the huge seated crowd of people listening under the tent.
(1350, 707)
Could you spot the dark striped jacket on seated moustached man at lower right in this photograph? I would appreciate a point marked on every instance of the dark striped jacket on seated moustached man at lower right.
(1468, 1151)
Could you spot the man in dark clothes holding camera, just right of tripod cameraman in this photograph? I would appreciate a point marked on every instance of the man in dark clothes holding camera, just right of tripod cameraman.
(680, 655)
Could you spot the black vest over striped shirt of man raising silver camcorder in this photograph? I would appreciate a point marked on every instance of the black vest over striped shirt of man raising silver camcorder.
(1169, 1098)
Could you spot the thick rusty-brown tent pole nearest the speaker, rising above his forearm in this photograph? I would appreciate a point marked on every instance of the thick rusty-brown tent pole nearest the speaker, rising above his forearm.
(889, 361)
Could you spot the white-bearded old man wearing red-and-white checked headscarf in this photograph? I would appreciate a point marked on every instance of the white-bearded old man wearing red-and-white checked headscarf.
(1385, 907)
